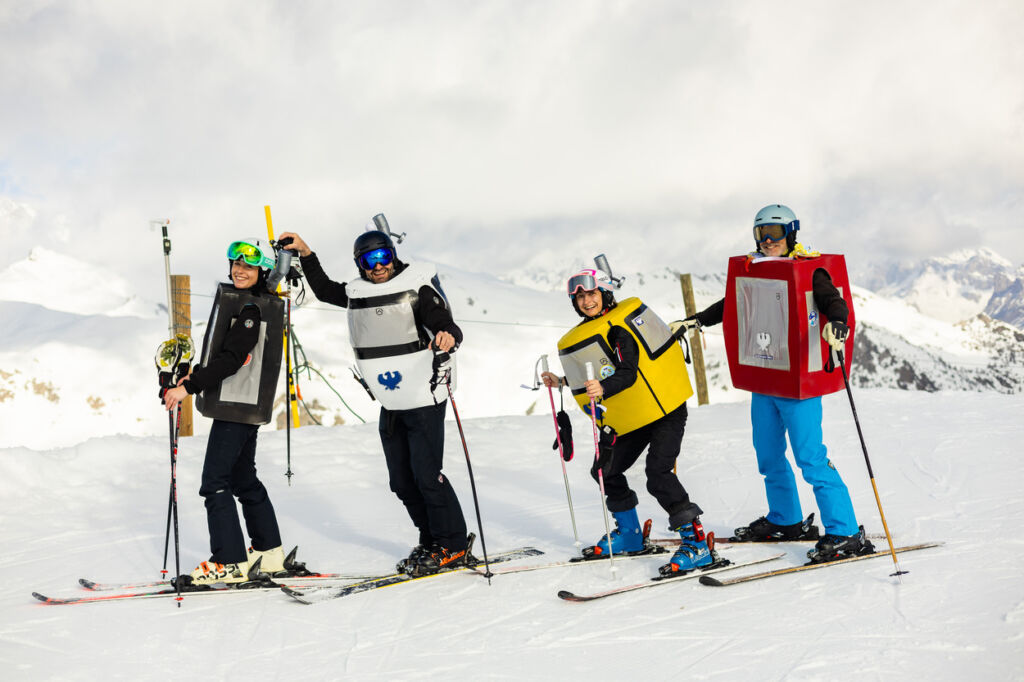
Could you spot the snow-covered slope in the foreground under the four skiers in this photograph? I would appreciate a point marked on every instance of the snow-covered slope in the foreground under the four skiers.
(948, 467)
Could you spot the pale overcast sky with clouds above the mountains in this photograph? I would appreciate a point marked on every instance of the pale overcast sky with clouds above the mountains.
(510, 135)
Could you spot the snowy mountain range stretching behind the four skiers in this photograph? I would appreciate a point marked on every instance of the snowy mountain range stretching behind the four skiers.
(76, 358)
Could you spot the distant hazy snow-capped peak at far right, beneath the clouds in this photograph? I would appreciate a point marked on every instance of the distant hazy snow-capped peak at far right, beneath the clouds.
(954, 288)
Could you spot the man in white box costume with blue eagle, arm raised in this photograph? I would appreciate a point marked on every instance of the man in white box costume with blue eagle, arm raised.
(402, 331)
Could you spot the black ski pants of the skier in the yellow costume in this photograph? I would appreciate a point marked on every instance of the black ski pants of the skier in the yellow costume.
(663, 440)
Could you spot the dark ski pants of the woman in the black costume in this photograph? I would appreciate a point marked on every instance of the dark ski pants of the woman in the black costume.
(229, 473)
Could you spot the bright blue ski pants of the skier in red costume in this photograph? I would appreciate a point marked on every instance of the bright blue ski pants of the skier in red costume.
(772, 419)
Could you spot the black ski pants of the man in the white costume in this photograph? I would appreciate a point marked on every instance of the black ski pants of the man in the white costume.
(414, 450)
